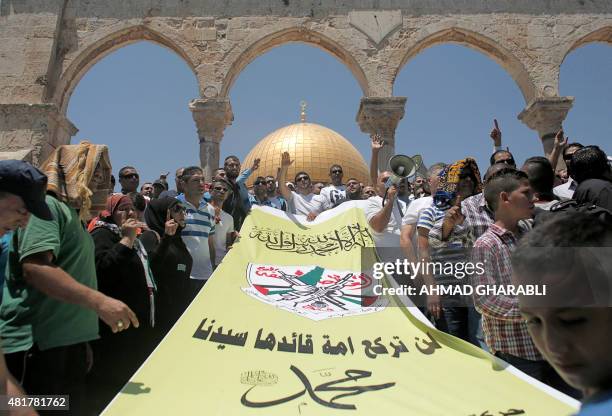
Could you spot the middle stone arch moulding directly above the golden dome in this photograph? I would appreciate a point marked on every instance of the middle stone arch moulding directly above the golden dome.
(293, 34)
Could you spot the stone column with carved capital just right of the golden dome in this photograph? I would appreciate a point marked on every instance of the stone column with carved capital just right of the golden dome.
(379, 115)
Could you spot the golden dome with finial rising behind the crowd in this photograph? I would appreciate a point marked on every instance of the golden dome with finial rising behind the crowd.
(313, 147)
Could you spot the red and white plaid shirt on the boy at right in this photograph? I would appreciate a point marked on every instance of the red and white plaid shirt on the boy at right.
(503, 327)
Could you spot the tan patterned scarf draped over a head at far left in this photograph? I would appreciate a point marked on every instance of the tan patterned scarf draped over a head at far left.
(70, 169)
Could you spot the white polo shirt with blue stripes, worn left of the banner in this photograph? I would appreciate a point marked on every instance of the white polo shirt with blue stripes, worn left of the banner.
(199, 225)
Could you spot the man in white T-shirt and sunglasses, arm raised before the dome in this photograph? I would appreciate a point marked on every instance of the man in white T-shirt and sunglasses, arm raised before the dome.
(303, 201)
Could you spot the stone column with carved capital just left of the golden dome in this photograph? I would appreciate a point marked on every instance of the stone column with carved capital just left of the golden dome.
(211, 115)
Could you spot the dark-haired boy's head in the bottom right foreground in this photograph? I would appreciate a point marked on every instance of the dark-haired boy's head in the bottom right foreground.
(572, 324)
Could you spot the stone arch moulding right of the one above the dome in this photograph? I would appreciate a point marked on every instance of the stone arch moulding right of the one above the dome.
(479, 42)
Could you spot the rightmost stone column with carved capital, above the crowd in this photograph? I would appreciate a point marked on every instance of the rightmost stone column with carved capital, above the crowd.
(545, 115)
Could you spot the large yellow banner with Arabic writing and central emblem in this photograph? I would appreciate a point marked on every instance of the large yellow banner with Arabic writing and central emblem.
(282, 328)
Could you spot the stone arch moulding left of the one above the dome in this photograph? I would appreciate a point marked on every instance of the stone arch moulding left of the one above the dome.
(97, 50)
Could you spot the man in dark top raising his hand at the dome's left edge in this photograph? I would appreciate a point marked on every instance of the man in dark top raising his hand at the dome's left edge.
(237, 204)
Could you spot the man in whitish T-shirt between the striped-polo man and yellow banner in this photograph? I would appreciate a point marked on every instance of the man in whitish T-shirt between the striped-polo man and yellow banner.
(224, 222)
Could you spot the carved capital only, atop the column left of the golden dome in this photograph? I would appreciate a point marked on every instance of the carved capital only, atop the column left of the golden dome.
(212, 116)
